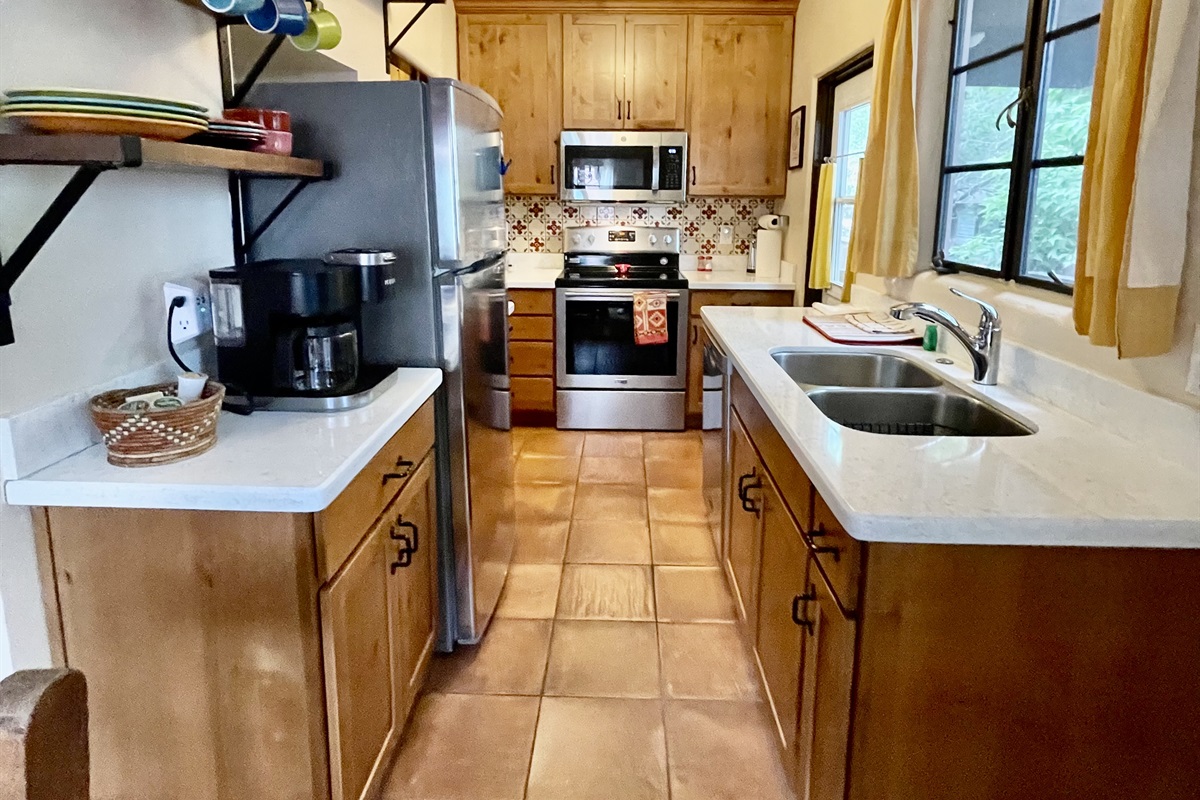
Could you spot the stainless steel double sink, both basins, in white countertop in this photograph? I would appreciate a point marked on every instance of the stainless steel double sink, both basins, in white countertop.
(887, 394)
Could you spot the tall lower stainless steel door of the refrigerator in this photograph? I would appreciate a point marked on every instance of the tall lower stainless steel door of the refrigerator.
(475, 318)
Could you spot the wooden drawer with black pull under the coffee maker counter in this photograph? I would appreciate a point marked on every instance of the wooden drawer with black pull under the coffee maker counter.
(344, 525)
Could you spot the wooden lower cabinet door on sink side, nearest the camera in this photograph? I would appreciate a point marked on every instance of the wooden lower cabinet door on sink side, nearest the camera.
(824, 736)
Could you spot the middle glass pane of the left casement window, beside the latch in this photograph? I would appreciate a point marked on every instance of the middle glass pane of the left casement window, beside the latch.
(980, 98)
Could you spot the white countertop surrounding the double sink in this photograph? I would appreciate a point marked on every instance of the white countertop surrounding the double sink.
(1069, 484)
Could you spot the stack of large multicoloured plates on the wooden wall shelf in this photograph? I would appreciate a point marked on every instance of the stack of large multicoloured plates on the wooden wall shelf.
(86, 111)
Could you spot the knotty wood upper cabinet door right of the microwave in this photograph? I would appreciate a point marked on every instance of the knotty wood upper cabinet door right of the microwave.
(739, 95)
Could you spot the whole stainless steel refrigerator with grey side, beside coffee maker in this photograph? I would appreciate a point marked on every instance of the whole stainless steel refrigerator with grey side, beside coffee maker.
(418, 172)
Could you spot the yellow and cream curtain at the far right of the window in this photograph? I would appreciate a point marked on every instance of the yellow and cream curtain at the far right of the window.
(1139, 322)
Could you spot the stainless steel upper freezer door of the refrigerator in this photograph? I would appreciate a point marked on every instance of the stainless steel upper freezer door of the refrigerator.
(467, 149)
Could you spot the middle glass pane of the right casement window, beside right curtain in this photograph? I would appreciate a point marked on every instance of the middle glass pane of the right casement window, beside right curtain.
(1067, 94)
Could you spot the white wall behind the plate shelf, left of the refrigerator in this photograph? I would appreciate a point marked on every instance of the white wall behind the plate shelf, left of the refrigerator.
(89, 308)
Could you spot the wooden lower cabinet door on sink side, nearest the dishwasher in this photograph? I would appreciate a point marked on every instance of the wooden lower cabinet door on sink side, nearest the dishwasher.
(745, 546)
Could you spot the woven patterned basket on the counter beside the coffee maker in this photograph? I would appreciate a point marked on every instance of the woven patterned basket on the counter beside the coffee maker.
(158, 436)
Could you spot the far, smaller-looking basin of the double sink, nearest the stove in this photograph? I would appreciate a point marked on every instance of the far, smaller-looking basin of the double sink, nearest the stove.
(817, 369)
